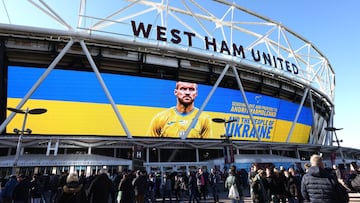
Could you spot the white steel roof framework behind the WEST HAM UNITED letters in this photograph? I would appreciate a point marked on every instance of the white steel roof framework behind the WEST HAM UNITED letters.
(228, 23)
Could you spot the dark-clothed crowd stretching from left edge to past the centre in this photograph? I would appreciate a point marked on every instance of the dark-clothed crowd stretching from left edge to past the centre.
(128, 186)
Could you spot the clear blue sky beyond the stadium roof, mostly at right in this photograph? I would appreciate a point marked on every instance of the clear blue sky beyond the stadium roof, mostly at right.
(332, 26)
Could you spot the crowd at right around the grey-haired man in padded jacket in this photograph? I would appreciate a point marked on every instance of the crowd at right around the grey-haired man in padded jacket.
(315, 183)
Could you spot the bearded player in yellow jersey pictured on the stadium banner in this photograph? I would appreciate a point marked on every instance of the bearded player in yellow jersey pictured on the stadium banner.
(174, 122)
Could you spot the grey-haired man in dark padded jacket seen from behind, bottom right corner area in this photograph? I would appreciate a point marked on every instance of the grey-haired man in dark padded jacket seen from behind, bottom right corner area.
(319, 186)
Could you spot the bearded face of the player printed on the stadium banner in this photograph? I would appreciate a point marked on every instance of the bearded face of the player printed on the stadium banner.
(186, 92)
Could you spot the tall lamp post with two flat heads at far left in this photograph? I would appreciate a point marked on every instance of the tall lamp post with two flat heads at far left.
(25, 112)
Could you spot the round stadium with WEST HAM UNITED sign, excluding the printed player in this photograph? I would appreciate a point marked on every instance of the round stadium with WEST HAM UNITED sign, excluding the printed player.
(100, 75)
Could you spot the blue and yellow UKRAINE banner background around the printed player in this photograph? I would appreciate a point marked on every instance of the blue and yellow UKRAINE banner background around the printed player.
(77, 105)
